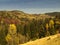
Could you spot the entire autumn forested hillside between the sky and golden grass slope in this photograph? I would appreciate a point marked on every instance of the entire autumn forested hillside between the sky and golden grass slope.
(26, 27)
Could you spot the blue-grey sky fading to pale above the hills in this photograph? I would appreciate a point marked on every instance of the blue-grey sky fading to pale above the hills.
(31, 6)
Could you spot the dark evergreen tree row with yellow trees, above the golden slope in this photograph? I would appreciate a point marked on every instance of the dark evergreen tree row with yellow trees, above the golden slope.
(35, 29)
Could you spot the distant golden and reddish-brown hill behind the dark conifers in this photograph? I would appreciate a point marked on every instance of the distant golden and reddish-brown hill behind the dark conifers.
(16, 16)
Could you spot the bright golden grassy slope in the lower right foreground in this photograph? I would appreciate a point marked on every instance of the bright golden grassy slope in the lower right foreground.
(51, 40)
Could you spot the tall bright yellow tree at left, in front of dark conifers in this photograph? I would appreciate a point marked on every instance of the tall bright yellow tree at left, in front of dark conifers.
(11, 37)
